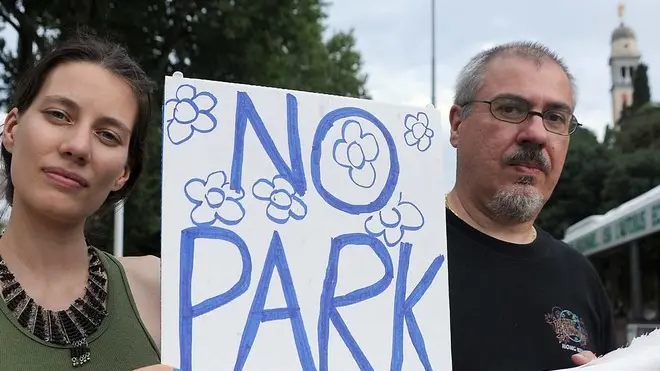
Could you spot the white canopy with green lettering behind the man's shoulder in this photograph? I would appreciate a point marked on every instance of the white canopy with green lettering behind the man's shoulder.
(629, 221)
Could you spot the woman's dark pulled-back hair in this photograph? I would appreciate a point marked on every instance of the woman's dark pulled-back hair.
(86, 47)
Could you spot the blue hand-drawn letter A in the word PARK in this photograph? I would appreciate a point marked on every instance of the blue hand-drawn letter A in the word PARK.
(275, 259)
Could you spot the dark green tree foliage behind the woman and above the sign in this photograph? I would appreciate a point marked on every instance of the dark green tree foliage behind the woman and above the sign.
(272, 43)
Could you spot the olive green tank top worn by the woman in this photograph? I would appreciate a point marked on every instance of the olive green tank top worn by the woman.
(122, 343)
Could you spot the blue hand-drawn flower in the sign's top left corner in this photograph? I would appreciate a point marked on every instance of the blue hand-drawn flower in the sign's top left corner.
(189, 112)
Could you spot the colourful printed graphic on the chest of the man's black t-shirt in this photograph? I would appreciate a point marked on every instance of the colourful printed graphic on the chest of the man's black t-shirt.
(569, 329)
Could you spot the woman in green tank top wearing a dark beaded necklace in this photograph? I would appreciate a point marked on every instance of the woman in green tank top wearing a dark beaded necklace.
(72, 145)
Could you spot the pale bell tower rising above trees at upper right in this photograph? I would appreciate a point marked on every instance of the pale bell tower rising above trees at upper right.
(624, 59)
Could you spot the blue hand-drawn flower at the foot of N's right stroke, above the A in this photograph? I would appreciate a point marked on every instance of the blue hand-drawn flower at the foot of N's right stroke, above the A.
(283, 202)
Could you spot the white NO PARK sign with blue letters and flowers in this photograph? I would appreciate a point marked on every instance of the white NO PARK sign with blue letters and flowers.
(301, 231)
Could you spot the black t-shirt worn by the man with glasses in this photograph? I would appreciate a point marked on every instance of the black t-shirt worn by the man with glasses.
(522, 307)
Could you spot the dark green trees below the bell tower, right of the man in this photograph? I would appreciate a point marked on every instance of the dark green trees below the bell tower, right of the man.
(600, 176)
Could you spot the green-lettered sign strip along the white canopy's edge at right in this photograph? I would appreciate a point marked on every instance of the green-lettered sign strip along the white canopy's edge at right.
(639, 223)
